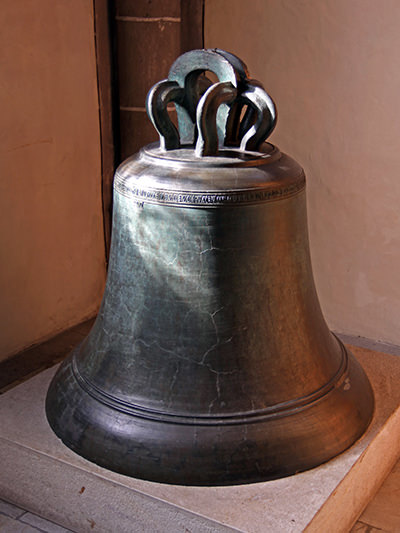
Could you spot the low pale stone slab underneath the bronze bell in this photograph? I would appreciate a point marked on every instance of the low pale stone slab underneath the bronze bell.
(40, 474)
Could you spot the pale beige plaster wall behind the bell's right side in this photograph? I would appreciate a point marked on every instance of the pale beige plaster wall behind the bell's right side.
(333, 68)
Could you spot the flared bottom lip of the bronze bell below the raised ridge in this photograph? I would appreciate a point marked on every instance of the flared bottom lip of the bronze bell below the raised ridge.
(197, 455)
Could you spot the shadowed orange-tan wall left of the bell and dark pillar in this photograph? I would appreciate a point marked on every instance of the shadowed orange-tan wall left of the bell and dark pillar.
(52, 252)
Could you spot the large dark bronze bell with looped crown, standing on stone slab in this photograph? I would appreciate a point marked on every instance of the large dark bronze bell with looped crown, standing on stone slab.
(210, 362)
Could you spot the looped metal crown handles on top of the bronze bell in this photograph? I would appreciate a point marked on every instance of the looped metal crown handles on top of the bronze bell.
(211, 114)
